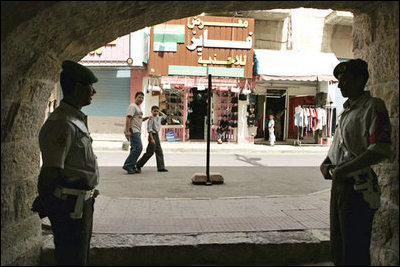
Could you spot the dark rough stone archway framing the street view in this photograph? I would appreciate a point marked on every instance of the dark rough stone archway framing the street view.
(37, 37)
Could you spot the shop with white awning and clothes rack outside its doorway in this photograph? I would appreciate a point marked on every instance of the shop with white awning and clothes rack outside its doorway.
(288, 81)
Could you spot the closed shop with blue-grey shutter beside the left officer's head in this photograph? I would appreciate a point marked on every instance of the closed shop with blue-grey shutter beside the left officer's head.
(113, 65)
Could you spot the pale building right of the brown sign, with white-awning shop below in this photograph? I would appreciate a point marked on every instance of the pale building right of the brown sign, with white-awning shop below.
(295, 53)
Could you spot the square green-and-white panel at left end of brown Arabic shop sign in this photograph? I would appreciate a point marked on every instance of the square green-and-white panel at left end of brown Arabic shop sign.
(167, 36)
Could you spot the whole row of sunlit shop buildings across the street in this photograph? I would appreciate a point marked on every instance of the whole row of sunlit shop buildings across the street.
(172, 60)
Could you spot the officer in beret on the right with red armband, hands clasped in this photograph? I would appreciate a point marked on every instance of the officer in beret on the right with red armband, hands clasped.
(362, 138)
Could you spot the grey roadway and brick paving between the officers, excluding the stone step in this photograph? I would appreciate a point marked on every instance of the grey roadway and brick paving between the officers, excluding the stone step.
(259, 193)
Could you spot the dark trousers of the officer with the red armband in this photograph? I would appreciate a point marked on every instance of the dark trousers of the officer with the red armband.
(350, 225)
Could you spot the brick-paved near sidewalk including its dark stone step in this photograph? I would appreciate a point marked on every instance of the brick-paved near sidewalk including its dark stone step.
(275, 230)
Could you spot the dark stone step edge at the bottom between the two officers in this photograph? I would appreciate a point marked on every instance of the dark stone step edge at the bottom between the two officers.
(234, 248)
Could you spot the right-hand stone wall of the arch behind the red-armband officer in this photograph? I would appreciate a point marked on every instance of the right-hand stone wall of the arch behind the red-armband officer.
(376, 40)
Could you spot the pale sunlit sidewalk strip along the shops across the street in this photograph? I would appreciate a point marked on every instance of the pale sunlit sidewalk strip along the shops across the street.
(115, 141)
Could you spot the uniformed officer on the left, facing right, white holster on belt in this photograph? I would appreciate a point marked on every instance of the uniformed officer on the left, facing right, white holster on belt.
(69, 172)
